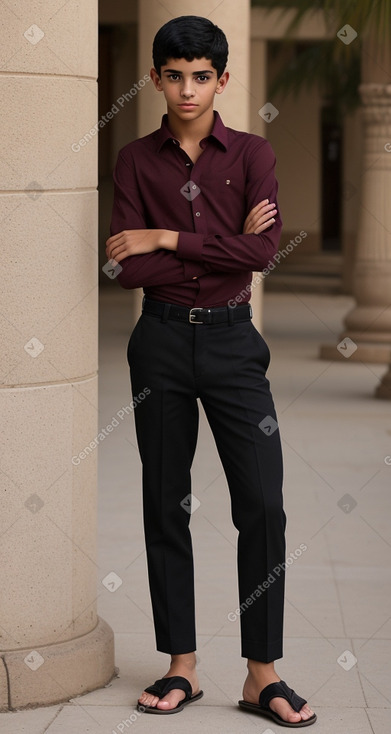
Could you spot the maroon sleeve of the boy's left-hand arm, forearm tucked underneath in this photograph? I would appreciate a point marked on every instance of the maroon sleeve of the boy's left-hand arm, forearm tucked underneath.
(160, 267)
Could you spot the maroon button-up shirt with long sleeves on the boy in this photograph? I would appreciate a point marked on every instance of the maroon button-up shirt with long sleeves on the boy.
(157, 186)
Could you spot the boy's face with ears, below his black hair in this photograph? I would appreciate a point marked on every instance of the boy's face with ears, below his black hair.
(189, 87)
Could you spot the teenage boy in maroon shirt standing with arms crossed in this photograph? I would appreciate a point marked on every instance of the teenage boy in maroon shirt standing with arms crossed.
(194, 214)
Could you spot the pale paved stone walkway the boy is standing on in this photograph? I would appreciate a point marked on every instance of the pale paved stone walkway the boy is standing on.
(336, 437)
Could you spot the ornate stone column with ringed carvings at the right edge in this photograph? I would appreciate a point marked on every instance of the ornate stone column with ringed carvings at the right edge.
(368, 324)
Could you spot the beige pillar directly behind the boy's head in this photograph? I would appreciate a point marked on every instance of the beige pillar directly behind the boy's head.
(233, 17)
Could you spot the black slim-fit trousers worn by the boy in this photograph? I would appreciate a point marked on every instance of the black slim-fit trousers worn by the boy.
(223, 365)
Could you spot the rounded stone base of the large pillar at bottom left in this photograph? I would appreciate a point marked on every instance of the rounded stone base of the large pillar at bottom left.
(68, 669)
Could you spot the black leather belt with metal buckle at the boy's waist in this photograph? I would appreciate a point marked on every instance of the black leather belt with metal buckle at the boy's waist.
(197, 315)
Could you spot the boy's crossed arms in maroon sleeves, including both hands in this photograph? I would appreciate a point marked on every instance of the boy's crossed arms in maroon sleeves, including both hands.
(151, 257)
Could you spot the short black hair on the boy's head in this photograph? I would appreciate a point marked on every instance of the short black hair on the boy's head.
(190, 37)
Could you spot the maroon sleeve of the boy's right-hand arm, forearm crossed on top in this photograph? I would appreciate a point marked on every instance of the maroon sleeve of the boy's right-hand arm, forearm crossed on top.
(241, 251)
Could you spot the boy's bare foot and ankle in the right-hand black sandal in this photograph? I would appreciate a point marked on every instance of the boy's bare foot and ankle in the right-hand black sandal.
(259, 676)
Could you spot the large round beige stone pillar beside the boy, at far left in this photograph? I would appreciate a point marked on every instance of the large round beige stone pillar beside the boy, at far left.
(53, 644)
